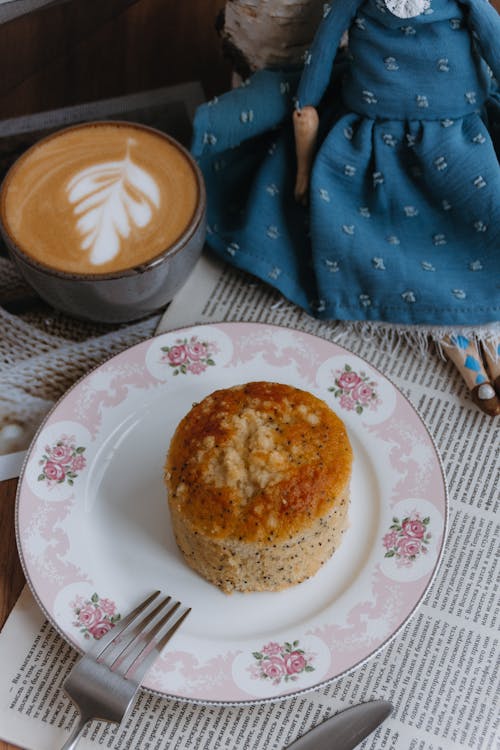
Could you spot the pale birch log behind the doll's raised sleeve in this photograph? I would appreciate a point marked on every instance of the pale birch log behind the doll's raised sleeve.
(268, 33)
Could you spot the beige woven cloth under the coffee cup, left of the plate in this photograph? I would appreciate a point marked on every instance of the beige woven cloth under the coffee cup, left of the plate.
(43, 352)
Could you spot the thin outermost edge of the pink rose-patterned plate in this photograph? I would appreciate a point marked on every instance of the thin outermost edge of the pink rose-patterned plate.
(256, 700)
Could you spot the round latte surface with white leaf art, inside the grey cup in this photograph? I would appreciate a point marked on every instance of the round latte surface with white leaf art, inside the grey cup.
(99, 198)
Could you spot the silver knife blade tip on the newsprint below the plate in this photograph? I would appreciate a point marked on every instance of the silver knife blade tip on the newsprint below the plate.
(345, 730)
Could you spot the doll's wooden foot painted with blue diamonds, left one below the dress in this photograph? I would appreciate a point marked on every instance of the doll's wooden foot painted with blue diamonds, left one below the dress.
(465, 355)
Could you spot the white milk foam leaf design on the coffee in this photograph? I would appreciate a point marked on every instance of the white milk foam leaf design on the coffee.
(109, 200)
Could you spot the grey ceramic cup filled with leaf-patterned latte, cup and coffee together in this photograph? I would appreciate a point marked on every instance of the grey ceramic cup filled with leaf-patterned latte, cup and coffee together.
(105, 220)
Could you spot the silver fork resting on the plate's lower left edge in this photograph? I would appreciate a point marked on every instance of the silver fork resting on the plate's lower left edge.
(104, 682)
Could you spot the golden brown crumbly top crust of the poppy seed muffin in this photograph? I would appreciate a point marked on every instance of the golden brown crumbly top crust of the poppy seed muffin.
(259, 462)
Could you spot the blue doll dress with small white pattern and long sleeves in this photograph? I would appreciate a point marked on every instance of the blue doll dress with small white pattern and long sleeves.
(403, 223)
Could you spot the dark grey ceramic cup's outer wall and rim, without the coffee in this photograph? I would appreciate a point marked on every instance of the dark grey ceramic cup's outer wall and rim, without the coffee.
(122, 295)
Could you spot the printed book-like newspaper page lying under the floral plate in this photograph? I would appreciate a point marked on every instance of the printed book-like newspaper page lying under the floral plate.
(441, 672)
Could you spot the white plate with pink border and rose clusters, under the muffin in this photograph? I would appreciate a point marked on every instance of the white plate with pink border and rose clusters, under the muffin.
(94, 529)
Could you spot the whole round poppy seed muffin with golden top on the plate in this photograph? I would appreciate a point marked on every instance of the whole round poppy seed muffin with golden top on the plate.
(258, 486)
